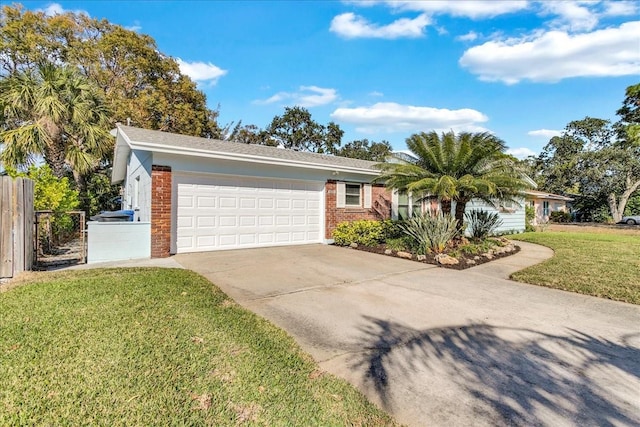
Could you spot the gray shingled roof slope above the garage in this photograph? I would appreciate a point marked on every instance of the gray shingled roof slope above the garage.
(177, 141)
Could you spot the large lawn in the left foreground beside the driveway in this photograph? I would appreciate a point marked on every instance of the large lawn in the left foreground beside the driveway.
(156, 347)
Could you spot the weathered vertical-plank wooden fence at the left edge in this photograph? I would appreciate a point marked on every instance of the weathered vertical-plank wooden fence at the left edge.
(16, 225)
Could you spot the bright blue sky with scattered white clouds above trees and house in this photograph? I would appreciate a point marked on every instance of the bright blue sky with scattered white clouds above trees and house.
(387, 69)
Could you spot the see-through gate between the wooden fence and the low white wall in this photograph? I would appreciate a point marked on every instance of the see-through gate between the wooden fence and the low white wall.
(60, 239)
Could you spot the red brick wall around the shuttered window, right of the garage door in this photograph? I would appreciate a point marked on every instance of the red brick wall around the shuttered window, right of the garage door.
(380, 207)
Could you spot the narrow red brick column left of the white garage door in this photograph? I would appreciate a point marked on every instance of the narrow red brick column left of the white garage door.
(160, 211)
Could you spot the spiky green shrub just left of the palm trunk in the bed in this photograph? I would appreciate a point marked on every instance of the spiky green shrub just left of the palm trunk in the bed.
(430, 233)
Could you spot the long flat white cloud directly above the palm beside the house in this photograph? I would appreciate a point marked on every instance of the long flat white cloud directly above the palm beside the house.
(393, 117)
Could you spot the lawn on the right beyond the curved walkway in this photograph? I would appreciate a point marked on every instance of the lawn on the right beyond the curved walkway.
(603, 263)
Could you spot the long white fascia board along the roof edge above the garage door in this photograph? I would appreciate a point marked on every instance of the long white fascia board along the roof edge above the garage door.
(247, 158)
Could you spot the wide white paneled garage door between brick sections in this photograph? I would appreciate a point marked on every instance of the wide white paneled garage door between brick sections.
(222, 212)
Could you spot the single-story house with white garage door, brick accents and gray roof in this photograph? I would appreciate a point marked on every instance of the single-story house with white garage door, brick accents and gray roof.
(203, 194)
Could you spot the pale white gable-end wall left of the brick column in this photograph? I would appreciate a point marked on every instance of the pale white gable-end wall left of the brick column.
(137, 186)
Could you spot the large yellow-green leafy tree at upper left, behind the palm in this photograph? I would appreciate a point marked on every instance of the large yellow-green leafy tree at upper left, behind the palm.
(139, 82)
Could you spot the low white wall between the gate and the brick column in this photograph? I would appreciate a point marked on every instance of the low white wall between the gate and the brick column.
(116, 241)
